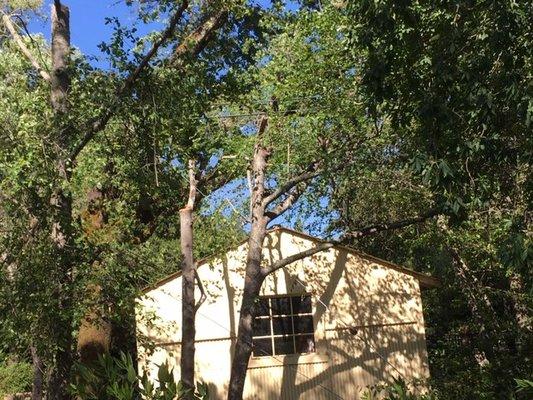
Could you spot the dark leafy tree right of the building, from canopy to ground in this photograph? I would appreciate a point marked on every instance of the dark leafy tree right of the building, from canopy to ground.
(453, 79)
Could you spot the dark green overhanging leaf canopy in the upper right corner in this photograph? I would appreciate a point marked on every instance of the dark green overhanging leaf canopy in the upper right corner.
(456, 79)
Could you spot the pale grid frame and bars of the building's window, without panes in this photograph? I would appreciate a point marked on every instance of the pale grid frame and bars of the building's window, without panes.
(293, 335)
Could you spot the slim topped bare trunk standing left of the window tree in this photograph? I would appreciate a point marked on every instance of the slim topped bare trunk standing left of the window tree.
(188, 270)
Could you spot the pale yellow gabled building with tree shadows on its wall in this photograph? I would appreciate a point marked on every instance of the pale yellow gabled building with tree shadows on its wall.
(327, 326)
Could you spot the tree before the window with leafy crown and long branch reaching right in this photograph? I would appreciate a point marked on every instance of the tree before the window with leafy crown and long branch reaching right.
(317, 134)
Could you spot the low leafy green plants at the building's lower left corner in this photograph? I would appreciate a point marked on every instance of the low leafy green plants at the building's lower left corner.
(115, 378)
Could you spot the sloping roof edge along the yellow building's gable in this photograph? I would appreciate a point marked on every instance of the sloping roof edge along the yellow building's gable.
(426, 281)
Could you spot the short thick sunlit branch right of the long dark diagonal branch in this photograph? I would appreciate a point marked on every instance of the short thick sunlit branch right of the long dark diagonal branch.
(196, 41)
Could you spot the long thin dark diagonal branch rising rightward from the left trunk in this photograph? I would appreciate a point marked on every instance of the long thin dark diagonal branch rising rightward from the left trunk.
(100, 123)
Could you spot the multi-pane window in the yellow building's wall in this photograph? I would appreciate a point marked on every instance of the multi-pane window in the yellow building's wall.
(283, 325)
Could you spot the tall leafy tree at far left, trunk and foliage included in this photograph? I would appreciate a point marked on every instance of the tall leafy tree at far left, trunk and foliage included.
(87, 106)
